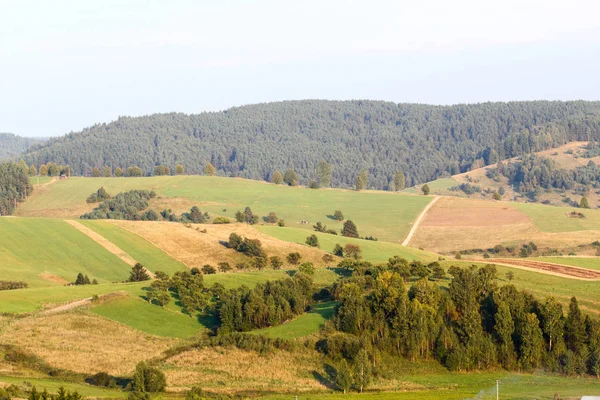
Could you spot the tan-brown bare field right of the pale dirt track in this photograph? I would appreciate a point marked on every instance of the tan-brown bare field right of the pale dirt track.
(458, 224)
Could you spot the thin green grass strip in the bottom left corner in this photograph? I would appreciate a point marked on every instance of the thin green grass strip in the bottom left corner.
(53, 385)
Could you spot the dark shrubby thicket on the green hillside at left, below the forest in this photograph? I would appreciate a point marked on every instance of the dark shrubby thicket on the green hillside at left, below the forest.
(126, 205)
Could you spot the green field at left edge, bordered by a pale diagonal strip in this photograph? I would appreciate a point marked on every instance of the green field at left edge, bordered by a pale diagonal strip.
(45, 252)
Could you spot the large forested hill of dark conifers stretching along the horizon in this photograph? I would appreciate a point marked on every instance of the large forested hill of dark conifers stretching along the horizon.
(252, 141)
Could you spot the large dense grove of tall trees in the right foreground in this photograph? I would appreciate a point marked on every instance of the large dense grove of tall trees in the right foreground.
(474, 325)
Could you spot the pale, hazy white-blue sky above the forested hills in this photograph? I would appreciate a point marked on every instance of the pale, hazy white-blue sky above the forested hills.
(66, 65)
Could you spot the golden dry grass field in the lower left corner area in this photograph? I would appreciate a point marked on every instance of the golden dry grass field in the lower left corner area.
(83, 343)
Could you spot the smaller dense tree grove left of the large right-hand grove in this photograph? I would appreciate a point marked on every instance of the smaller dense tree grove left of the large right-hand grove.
(268, 304)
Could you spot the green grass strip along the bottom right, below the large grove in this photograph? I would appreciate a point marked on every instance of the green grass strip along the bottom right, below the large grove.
(480, 386)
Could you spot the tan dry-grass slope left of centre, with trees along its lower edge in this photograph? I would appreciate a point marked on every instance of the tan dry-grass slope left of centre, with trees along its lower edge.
(195, 249)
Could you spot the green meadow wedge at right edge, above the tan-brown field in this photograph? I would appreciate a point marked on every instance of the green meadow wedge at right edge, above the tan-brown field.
(555, 219)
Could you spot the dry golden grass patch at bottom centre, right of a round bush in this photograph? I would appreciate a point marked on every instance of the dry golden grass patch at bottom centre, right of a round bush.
(232, 370)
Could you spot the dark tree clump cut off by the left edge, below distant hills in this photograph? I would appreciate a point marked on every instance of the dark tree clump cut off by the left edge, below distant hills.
(14, 187)
